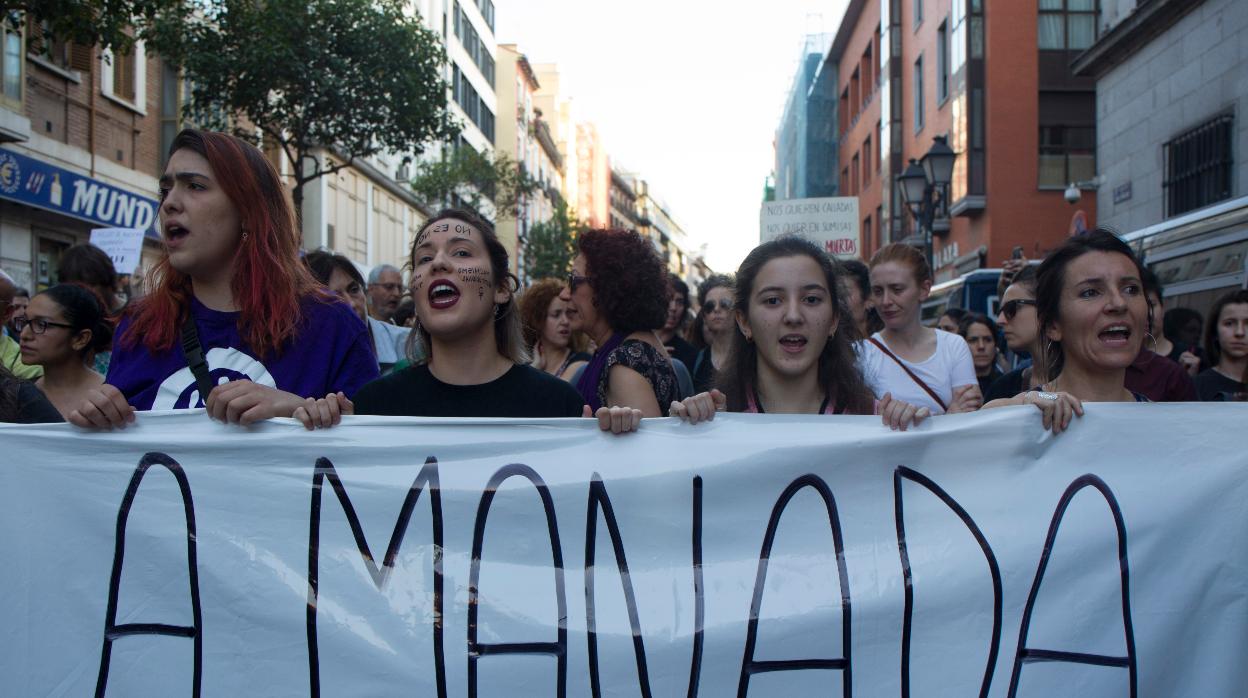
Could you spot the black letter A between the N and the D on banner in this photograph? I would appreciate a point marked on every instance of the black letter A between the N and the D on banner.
(751, 667)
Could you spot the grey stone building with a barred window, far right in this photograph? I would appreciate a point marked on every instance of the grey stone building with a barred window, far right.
(1172, 93)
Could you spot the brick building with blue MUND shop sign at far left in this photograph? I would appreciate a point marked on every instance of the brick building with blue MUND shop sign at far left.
(82, 148)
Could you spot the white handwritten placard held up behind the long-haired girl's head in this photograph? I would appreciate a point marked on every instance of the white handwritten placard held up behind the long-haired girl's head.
(832, 223)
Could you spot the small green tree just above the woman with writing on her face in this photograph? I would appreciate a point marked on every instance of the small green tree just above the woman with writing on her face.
(472, 179)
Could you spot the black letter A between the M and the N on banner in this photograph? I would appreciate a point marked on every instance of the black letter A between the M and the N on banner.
(558, 649)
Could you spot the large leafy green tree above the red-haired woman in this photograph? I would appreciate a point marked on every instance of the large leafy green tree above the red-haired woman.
(358, 78)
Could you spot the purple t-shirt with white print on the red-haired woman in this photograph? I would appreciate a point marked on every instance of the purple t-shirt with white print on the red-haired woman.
(331, 351)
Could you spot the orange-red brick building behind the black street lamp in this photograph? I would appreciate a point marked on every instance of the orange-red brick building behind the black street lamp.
(997, 84)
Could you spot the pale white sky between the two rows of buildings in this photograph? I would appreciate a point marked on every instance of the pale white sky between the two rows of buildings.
(686, 93)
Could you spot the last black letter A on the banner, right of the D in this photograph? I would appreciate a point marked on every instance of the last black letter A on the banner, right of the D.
(1026, 655)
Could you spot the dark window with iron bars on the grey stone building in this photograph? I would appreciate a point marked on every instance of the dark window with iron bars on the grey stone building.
(1199, 165)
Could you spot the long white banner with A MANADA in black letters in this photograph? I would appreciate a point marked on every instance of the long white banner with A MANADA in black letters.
(752, 556)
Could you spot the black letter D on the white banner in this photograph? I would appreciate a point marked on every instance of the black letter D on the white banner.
(903, 473)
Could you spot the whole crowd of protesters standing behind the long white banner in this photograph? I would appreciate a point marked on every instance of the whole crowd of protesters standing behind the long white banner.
(239, 322)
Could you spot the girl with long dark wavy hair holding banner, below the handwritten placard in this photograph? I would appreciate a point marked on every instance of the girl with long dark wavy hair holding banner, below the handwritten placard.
(793, 344)
